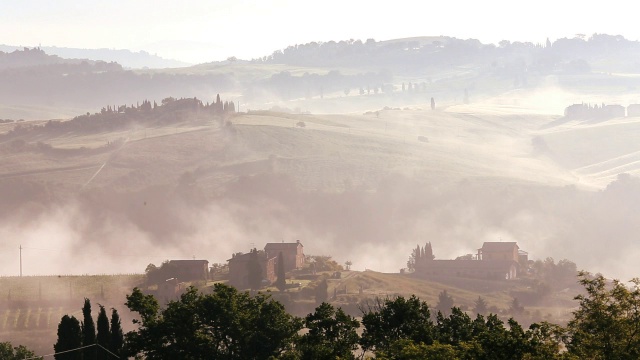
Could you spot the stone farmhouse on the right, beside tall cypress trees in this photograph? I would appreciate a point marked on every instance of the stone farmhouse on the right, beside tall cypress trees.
(493, 261)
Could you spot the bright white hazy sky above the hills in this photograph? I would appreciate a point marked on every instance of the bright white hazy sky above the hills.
(205, 30)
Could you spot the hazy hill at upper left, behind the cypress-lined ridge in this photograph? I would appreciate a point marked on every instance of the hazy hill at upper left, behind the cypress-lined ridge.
(31, 77)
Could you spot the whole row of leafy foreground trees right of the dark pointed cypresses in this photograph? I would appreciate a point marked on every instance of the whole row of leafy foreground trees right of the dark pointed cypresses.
(227, 324)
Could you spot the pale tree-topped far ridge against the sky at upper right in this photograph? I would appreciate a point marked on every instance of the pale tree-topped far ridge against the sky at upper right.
(576, 55)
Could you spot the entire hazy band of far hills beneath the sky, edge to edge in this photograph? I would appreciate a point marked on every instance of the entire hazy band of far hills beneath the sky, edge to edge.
(331, 77)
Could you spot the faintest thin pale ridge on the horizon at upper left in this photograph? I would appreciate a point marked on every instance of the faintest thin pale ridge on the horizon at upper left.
(127, 58)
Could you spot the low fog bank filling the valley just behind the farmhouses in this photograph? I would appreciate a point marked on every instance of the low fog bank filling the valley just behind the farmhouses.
(106, 231)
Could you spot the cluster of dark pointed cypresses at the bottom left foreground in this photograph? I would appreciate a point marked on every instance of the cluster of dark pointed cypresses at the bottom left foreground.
(88, 340)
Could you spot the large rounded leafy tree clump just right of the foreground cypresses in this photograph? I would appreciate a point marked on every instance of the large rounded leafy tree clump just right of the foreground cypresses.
(226, 324)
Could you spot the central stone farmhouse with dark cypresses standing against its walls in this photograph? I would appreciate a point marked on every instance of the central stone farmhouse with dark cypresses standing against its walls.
(292, 256)
